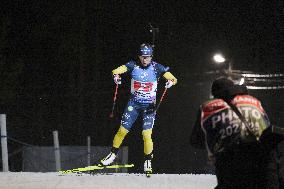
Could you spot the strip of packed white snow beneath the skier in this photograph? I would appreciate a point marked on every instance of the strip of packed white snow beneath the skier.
(28, 180)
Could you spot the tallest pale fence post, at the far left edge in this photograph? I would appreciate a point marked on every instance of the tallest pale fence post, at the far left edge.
(4, 143)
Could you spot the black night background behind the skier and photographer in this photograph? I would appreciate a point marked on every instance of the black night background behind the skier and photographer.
(57, 57)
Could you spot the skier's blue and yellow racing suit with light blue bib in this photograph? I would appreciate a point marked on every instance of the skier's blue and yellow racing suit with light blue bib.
(144, 81)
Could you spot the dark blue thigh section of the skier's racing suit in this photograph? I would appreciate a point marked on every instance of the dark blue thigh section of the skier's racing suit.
(133, 109)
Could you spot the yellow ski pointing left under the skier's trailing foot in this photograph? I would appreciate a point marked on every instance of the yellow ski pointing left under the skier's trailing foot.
(95, 167)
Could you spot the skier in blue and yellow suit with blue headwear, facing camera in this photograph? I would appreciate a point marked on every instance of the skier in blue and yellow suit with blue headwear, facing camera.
(144, 80)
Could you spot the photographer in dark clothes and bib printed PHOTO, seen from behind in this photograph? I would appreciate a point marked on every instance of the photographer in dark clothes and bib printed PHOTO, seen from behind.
(229, 127)
